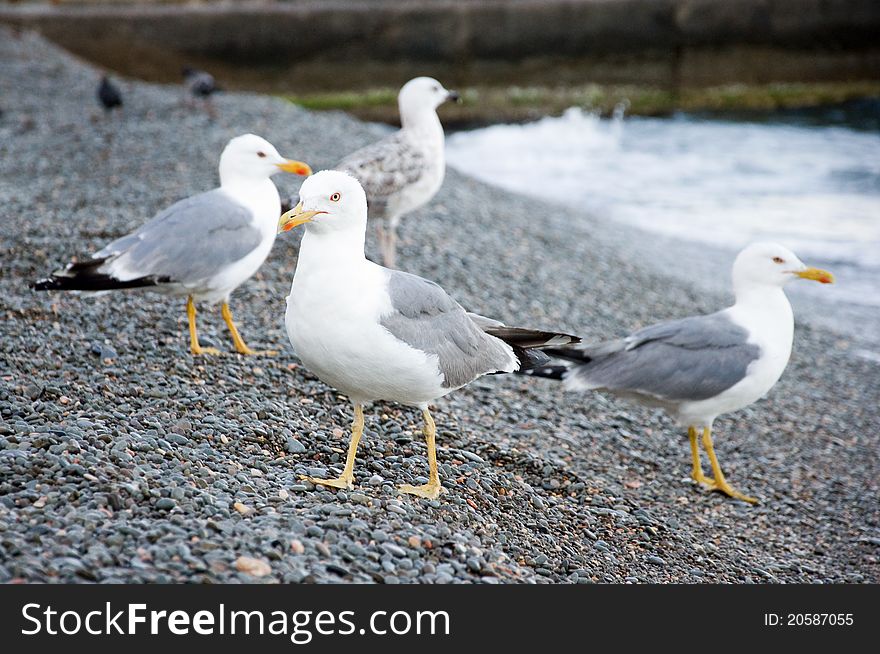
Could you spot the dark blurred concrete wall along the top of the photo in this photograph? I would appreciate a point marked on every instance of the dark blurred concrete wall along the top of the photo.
(721, 40)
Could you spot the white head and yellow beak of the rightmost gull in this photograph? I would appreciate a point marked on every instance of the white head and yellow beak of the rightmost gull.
(770, 264)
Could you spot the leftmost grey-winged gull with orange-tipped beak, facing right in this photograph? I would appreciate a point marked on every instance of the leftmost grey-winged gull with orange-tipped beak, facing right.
(202, 247)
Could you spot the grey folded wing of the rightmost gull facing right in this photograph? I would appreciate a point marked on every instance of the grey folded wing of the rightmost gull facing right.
(683, 360)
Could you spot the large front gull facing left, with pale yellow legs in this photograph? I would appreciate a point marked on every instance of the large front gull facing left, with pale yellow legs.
(379, 334)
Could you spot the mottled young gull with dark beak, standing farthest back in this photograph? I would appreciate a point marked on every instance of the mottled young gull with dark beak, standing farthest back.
(403, 171)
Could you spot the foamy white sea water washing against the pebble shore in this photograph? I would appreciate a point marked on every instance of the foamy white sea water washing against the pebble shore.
(809, 180)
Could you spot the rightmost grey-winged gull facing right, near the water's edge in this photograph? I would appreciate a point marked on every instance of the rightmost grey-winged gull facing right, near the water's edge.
(700, 367)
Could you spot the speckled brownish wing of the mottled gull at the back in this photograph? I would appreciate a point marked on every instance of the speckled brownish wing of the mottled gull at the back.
(385, 168)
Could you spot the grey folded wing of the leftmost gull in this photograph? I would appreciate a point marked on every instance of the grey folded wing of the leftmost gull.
(189, 241)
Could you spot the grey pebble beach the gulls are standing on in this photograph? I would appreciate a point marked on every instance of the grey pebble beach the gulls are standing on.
(123, 458)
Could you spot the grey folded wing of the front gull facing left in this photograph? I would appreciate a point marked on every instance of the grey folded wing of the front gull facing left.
(426, 318)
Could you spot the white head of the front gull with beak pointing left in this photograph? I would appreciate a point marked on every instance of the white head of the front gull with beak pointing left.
(329, 201)
